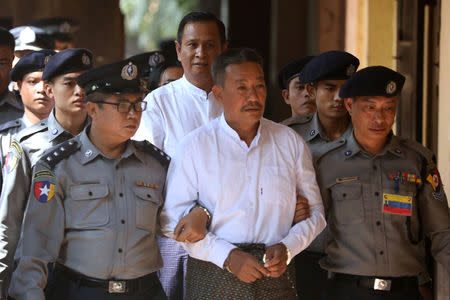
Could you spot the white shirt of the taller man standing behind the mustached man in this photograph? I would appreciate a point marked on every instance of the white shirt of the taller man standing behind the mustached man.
(174, 110)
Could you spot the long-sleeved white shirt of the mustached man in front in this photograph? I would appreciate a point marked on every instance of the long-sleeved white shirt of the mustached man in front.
(250, 191)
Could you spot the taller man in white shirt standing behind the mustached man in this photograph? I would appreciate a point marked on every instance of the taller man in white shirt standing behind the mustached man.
(179, 107)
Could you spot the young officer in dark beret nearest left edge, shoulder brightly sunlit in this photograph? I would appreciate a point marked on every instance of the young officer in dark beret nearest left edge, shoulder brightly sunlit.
(28, 74)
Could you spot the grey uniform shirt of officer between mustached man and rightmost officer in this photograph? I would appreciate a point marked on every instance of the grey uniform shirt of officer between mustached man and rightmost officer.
(310, 129)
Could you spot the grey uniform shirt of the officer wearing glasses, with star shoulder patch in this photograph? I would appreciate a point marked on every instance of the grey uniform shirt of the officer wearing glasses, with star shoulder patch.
(91, 213)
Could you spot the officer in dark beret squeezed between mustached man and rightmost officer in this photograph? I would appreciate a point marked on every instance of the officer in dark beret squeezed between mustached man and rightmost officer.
(323, 131)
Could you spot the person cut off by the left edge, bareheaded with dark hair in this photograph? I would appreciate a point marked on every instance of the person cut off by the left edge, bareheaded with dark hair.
(10, 107)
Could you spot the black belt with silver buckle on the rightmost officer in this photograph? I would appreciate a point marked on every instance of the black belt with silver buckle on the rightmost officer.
(378, 283)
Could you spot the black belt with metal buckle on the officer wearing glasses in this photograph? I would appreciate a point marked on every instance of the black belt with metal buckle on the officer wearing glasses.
(112, 286)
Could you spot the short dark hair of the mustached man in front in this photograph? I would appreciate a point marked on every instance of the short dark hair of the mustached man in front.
(235, 56)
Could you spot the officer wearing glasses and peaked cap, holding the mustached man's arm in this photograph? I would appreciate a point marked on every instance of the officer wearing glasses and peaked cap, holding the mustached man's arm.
(95, 203)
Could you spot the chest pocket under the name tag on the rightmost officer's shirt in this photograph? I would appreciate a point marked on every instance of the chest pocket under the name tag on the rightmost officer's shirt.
(348, 204)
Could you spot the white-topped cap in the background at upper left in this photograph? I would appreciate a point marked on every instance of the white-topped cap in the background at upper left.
(31, 38)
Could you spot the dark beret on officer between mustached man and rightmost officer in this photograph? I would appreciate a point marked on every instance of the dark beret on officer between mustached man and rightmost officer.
(331, 65)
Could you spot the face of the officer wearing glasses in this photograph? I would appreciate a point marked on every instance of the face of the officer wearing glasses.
(115, 118)
